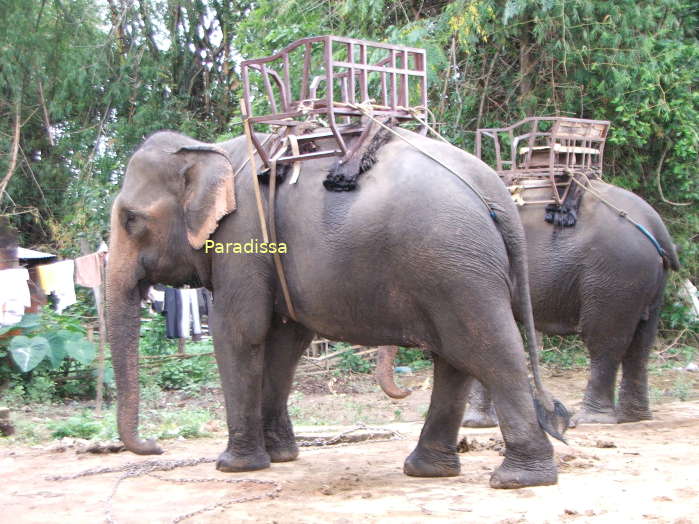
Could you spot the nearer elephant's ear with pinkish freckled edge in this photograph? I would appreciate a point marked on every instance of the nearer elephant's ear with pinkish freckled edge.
(209, 191)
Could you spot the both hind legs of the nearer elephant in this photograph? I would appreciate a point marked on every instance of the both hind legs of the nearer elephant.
(497, 359)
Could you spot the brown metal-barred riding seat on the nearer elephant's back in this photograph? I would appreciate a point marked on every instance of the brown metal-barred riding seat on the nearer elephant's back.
(332, 80)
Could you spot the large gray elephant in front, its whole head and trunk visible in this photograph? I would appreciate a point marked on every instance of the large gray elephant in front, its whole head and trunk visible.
(411, 258)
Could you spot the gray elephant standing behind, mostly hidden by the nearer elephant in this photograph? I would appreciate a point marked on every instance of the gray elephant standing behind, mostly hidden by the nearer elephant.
(602, 279)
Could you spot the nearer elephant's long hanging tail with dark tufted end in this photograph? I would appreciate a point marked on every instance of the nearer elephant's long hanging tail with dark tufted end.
(551, 413)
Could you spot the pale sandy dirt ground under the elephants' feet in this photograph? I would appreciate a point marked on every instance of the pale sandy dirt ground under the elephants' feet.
(640, 472)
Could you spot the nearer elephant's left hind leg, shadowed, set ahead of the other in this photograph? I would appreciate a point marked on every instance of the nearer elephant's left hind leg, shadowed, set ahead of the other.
(435, 454)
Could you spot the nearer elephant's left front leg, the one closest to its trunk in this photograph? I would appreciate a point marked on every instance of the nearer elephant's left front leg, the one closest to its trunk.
(240, 365)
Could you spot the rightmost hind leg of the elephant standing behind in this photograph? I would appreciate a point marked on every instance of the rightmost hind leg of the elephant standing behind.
(634, 404)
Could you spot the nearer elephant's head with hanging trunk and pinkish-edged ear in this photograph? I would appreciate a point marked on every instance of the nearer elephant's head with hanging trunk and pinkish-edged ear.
(174, 193)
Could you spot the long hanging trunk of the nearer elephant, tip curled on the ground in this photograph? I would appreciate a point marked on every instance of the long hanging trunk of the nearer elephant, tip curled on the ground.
(123, 326)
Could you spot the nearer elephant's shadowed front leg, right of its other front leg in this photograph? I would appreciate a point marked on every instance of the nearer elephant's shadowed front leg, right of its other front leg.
(285, 345)
